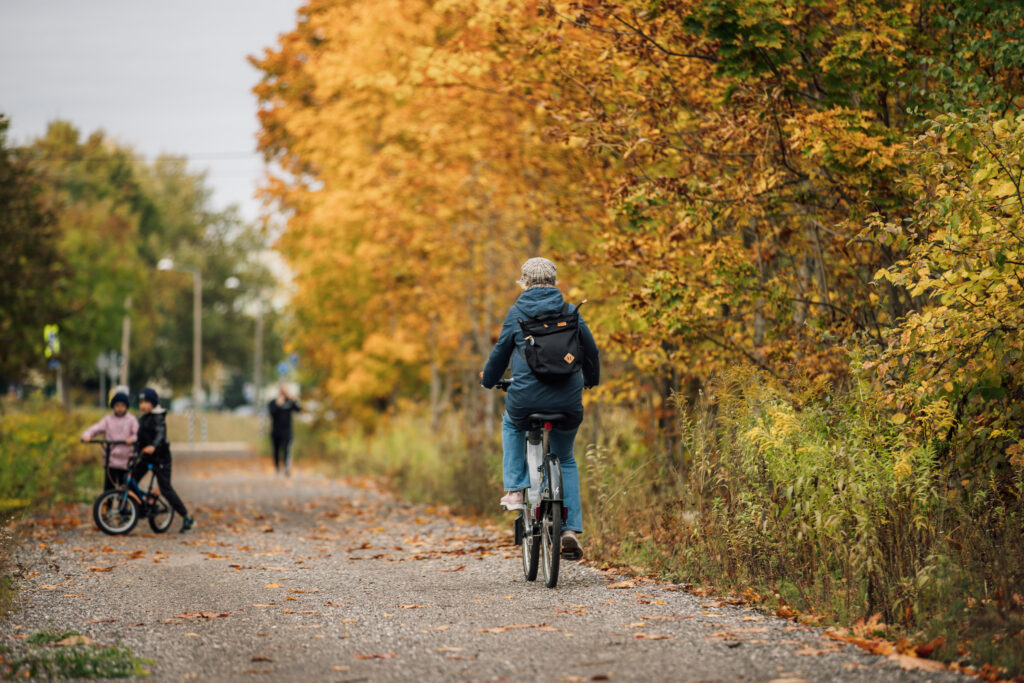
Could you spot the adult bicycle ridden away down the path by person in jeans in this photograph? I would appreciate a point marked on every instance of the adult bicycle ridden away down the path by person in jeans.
(539, 528)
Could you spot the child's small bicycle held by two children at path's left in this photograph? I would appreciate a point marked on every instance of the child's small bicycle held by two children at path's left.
(118, 510)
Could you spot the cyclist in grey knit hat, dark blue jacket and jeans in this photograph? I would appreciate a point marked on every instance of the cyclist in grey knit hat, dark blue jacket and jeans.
(528, 395)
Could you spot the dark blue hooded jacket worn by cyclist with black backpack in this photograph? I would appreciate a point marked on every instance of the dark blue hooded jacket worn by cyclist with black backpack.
(529, 395)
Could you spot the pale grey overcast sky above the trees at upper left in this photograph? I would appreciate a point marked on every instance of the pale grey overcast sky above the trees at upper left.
(161, 77)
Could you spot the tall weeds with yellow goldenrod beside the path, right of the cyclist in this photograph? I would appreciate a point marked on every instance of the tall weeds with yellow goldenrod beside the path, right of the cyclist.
(816, 499)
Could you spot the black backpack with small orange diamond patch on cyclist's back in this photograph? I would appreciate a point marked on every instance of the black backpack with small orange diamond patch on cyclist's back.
(553, 350)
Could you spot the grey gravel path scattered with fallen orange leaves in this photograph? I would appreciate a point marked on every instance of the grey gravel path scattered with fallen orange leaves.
(319, 580)
